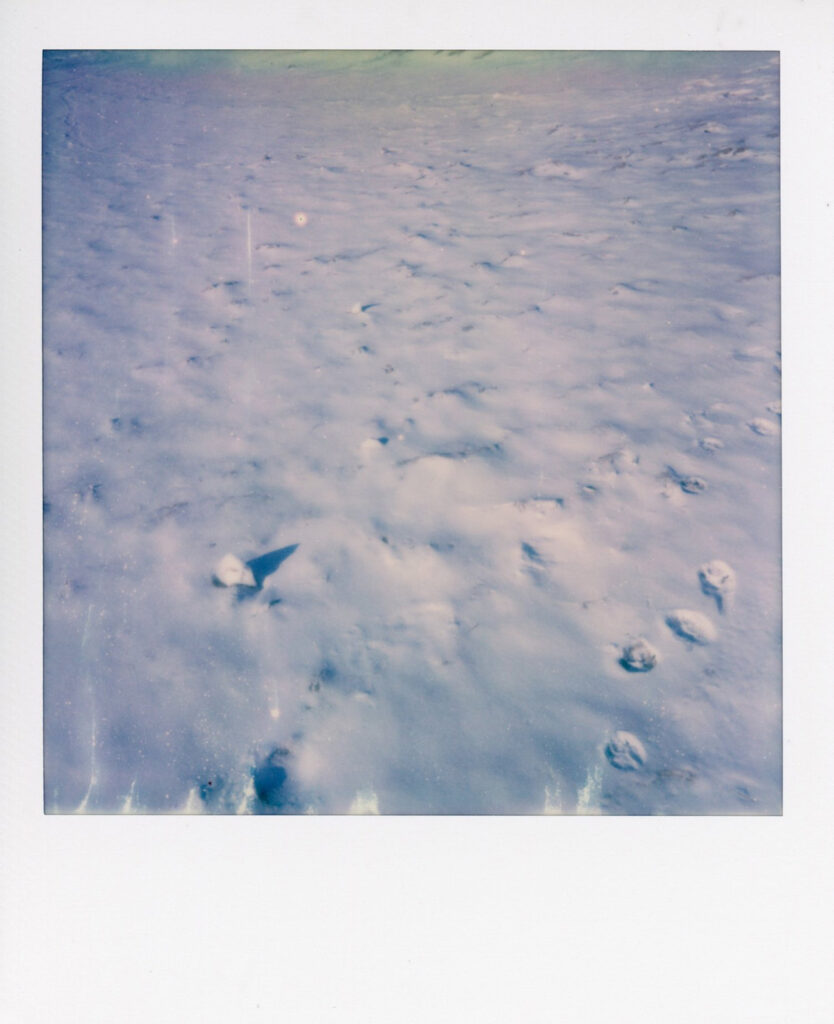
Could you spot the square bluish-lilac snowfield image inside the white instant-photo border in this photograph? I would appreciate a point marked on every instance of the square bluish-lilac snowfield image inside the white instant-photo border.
(401, 411)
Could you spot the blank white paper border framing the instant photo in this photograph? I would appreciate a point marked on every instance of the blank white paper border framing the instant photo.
(108, 919)
